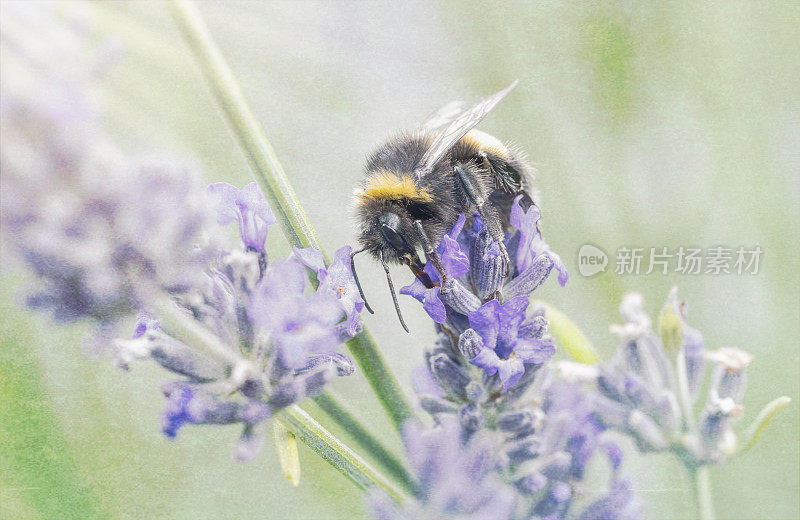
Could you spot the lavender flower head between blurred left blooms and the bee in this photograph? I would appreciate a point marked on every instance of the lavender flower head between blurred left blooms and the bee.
(281, 342)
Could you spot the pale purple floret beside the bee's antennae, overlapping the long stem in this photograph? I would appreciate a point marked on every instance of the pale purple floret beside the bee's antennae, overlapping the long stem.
(337, 279)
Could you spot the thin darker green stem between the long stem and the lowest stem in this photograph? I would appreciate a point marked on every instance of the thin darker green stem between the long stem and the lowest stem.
(380, 454)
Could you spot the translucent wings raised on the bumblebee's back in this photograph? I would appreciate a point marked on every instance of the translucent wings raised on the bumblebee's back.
(459, 124)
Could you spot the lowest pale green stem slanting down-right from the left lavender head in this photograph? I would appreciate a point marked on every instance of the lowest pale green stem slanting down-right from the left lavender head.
(335, 452)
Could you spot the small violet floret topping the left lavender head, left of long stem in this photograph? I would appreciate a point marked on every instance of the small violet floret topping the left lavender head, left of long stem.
(246, 206)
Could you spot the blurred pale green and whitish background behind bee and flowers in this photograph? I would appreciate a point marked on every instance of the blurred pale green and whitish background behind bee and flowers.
(651, 124)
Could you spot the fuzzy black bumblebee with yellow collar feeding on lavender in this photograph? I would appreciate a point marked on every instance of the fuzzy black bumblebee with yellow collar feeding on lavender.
(418, 183)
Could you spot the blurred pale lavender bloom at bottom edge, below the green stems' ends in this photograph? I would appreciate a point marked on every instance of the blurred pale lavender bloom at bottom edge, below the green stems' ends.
(456, 478)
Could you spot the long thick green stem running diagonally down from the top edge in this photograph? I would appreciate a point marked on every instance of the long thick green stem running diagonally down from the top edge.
(273, 181)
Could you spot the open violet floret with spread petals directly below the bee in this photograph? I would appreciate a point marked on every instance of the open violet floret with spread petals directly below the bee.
(505, 351)
